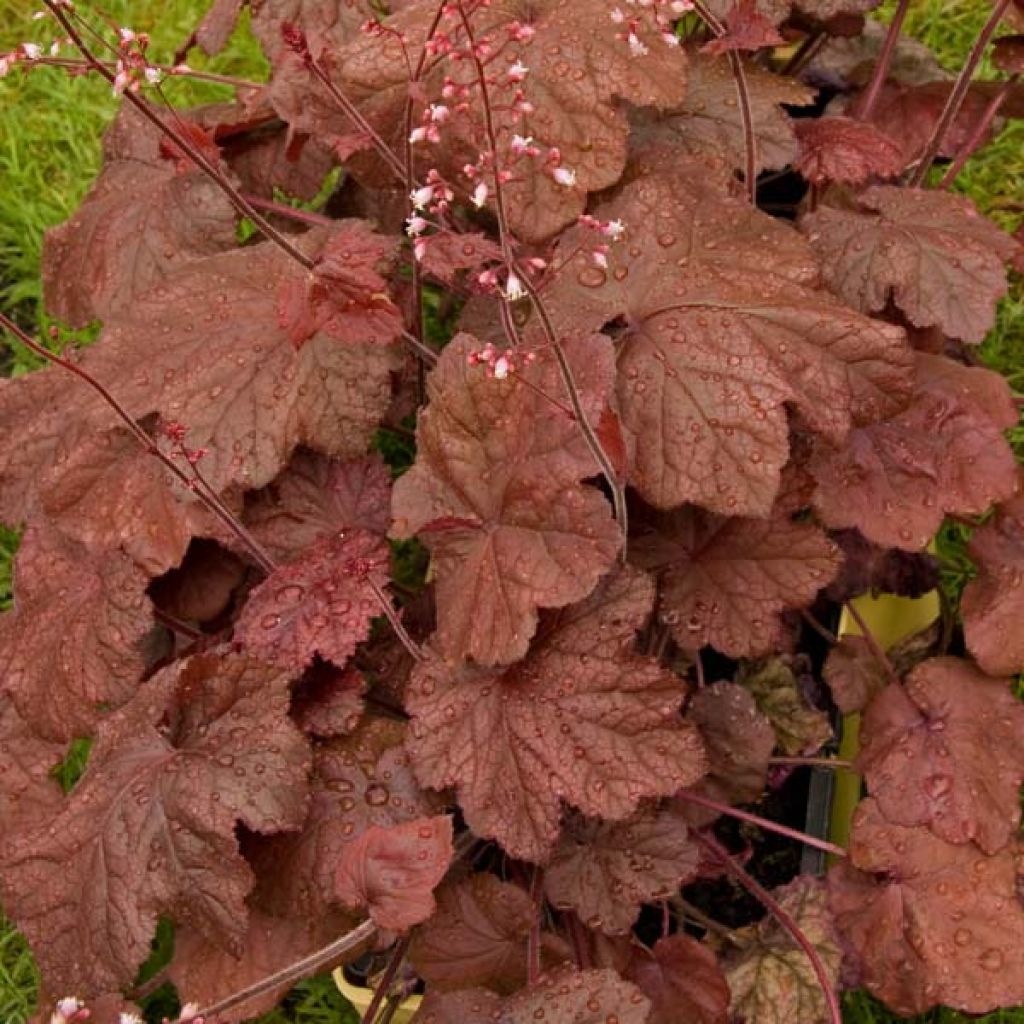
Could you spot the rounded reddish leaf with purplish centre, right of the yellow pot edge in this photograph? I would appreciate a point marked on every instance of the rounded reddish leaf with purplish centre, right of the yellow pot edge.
(947, 751)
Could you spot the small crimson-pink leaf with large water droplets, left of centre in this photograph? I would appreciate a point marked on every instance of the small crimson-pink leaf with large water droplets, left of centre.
(322, 604)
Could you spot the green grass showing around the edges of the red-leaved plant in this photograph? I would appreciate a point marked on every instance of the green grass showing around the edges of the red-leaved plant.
(50, 153)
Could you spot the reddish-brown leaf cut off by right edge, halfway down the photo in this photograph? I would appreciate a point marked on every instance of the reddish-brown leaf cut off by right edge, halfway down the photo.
(992, 605)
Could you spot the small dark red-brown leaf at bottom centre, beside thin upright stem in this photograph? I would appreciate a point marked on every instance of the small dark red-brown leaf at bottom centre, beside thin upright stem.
(478, 937)
